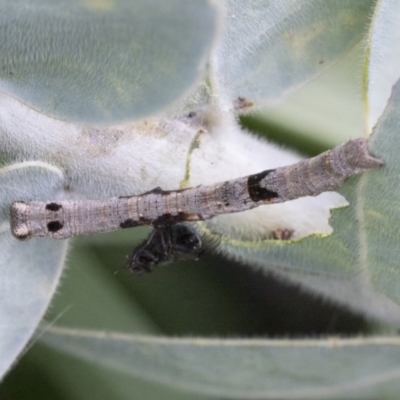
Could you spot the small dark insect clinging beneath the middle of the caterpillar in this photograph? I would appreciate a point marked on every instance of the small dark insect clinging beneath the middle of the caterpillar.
(167, 244)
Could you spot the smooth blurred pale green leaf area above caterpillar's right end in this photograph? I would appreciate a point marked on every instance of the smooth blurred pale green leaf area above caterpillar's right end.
(328, 110)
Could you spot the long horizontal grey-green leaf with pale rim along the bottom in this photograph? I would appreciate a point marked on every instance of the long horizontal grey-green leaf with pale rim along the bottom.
(238, 369)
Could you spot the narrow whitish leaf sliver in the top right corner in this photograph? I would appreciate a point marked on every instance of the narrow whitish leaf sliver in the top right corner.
(382, 59)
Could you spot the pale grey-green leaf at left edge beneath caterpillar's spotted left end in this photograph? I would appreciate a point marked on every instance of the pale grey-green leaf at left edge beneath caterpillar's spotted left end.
(29, 270)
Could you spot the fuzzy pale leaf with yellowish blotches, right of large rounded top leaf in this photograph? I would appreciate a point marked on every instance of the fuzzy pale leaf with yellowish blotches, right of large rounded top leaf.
(270, 47)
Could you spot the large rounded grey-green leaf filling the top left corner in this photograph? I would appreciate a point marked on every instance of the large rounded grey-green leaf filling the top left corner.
(103, 61)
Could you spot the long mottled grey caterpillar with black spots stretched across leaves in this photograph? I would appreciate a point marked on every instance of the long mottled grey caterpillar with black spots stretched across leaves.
(61, 219)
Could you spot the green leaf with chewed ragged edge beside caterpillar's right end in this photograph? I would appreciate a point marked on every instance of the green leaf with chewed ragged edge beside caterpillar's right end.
(358, 264)
